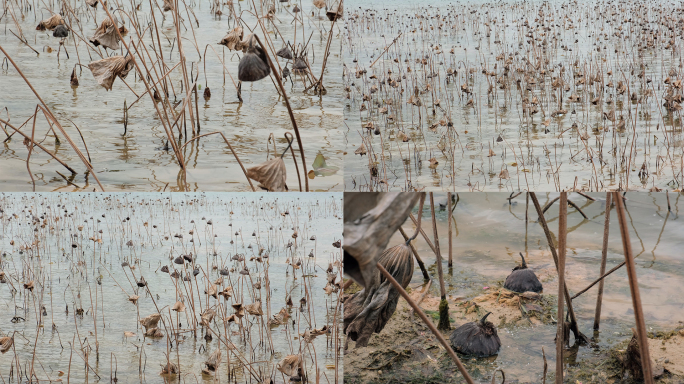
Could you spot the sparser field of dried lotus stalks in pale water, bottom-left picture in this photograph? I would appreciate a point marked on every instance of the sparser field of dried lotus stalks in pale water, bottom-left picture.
(183, 288)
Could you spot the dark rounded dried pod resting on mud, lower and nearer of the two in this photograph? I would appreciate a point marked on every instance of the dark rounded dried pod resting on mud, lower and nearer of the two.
(477, 338)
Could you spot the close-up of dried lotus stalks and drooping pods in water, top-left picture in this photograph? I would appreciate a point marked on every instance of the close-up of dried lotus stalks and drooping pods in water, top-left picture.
(170, 95)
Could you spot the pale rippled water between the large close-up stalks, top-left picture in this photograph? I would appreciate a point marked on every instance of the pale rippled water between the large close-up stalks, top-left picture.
(137, 160)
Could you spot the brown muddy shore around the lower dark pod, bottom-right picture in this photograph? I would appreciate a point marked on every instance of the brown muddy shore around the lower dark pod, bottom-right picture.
(405, 351)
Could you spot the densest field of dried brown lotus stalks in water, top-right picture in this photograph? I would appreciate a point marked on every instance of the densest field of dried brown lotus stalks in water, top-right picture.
(513, 95)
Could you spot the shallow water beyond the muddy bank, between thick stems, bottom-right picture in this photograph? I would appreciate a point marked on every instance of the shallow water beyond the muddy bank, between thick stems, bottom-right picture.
(490, 233)
